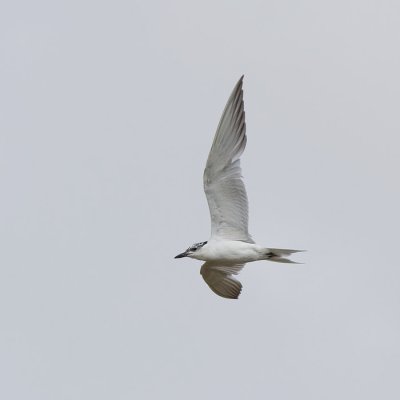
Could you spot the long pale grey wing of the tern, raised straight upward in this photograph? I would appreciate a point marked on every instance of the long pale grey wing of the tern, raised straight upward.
(223, 184)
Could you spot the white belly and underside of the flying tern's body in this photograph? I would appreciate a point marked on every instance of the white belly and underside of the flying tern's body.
(230, 252)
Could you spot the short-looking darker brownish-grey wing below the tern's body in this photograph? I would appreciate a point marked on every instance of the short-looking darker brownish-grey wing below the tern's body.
(220, 280)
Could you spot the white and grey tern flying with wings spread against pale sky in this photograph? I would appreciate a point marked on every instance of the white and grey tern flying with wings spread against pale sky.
(230, 245)
